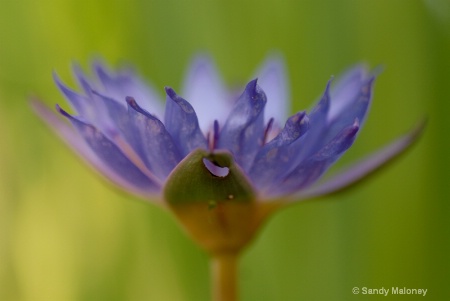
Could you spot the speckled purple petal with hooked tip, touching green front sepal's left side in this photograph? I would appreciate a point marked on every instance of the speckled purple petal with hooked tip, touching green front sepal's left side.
(161, 154)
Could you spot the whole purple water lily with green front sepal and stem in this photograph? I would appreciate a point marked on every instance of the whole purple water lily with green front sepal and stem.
(222, 162)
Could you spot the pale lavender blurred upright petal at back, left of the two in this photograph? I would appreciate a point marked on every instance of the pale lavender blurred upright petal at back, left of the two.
(205, 91)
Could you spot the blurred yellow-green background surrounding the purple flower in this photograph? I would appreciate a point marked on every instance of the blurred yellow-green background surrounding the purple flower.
(65, 235)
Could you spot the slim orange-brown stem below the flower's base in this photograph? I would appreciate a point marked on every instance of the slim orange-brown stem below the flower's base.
(224, 270)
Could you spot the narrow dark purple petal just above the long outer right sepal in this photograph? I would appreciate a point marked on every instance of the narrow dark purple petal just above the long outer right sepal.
(313, 167)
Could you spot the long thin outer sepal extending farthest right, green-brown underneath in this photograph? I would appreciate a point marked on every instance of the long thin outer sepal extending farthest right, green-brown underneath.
(365, 168)
